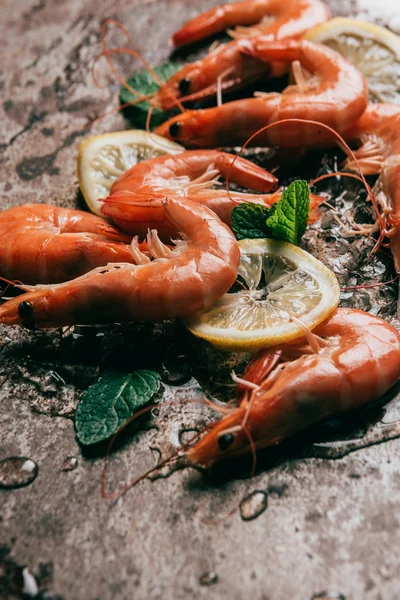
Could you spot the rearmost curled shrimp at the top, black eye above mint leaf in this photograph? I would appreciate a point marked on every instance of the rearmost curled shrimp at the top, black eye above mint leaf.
(227, 68)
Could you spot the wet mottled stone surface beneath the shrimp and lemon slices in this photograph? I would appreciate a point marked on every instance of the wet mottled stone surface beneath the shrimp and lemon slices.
(320, 508)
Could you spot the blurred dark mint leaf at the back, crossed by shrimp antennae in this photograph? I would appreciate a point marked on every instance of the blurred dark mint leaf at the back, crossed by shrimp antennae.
(142, 81)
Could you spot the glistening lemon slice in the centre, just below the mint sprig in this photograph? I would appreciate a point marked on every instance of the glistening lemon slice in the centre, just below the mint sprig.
(276, 281)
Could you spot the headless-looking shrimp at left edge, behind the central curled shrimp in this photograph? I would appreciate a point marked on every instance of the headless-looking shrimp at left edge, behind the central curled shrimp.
(48, 244)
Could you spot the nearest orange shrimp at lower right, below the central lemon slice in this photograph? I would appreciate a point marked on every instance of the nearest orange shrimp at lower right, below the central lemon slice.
(351, 359)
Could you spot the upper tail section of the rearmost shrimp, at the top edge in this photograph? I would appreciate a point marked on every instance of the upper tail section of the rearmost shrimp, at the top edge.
(278, 19)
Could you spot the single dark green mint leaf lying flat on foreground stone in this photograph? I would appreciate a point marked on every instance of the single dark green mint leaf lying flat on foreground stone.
(107, 404)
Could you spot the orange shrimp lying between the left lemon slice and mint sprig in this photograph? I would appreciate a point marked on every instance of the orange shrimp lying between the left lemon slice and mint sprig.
(190, 174)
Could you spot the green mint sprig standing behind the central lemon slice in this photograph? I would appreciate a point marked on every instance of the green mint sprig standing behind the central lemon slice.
(286, 220)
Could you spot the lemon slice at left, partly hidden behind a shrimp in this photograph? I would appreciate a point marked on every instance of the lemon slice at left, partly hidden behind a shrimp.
(103, 158)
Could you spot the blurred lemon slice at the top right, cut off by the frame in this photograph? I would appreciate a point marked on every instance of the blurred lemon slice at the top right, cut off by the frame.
(374, 50)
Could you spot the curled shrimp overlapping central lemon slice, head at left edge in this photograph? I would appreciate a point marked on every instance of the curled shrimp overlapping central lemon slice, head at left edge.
(181, 280)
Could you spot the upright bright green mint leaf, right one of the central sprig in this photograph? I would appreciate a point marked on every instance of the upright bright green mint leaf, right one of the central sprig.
(288, 218)
